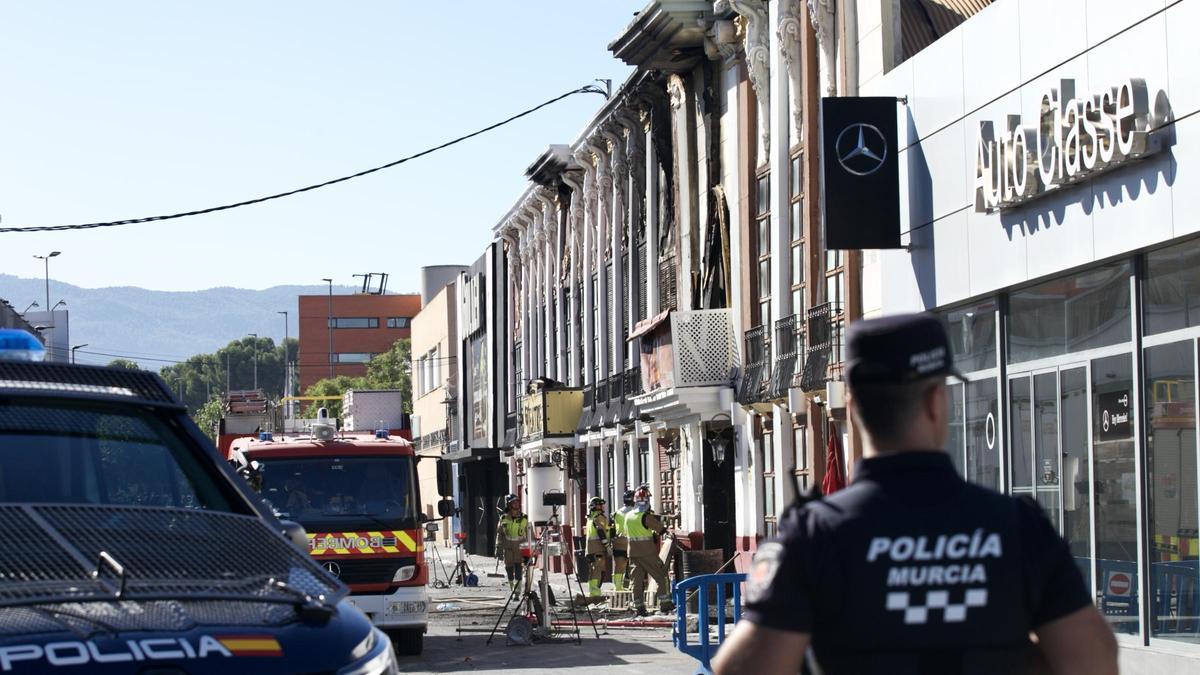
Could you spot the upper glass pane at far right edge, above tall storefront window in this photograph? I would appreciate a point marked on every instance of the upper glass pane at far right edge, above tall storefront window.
(1172, 289)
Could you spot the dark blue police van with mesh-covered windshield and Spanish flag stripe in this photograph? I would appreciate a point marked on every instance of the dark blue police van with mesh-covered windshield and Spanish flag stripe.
(131, 547)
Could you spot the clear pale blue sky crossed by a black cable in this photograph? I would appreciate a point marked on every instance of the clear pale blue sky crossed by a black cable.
(133, 109)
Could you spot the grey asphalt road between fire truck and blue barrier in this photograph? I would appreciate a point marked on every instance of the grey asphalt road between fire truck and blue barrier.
(476, 611)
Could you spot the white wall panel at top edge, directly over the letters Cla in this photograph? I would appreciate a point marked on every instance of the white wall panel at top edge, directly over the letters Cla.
(1052, 33)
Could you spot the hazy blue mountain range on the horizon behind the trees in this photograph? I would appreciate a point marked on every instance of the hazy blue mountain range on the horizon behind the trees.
(158, 328)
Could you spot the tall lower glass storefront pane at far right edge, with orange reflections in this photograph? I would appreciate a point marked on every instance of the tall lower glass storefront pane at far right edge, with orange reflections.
(1174, 510)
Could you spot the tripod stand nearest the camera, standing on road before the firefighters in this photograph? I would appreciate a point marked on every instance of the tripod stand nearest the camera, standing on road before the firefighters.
(539, 605)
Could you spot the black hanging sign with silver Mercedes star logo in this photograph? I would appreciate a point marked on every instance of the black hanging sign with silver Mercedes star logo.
(862, 175)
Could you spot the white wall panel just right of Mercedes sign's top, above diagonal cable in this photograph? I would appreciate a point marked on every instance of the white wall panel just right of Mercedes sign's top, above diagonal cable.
(938, 86)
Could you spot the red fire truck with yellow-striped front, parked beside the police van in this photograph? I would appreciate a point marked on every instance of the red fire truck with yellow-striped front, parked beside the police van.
(357, 495)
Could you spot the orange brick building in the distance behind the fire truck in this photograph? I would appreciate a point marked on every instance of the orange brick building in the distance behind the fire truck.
(361, 326)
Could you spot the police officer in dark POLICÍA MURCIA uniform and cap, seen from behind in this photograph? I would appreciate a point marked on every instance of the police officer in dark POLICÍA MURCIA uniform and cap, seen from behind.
(910, 569)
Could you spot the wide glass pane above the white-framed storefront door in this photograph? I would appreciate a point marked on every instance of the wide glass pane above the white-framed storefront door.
(1071, 314)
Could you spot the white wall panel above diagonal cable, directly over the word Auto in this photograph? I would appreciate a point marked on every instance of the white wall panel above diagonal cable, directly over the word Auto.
(992, 53)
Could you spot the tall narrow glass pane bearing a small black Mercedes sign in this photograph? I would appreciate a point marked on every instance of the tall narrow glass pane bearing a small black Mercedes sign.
(1117, 497)
